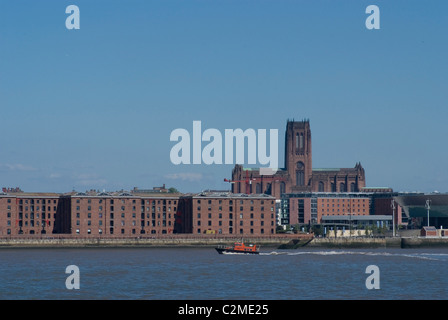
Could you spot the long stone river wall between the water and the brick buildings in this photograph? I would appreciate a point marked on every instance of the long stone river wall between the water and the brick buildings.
(283, 241)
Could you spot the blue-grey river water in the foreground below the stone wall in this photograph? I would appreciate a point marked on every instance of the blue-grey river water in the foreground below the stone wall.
(151, 273)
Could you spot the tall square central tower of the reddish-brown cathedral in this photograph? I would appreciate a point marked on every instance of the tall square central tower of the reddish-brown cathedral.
(298, 156)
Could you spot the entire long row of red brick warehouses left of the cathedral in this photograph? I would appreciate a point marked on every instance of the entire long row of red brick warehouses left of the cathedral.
(122, 214)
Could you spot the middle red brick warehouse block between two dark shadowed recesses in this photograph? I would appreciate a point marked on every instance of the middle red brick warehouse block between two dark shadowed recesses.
(120, 214)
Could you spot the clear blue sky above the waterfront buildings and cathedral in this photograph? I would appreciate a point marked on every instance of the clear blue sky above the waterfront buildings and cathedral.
(94, 108)
